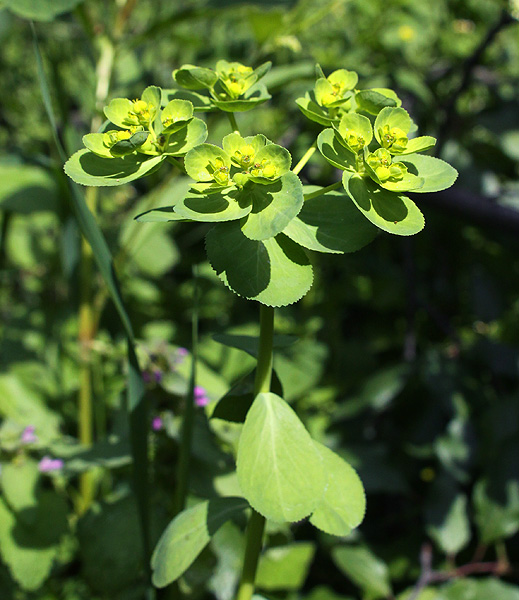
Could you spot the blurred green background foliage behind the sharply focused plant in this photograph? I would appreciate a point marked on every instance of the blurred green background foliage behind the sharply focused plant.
(407, 359)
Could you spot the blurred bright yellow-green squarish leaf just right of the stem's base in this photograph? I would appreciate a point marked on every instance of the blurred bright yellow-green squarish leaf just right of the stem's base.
(285, 567)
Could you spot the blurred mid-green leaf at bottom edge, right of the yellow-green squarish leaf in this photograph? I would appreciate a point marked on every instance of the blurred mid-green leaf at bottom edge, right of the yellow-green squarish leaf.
(364, 569)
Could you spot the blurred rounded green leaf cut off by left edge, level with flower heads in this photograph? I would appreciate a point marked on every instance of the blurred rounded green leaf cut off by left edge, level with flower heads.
(26, 188)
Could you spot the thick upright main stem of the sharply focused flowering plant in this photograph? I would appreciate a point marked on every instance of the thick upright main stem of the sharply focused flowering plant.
(256, 525)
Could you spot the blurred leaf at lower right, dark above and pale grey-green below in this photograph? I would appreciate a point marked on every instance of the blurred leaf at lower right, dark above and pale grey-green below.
(446, 513)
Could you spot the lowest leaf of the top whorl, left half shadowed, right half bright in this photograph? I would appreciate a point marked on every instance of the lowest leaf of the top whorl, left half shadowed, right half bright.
(275, 272)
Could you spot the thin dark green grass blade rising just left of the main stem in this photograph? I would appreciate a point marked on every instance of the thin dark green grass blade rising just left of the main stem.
(183, 465)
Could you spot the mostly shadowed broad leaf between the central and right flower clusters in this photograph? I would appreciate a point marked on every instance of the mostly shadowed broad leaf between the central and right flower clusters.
(331, 223)
